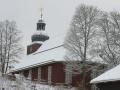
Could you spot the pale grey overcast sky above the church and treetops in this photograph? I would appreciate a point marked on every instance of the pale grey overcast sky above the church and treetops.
(57, 14)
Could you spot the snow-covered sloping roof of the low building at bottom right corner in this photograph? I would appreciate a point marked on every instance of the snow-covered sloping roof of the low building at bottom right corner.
(111, 75)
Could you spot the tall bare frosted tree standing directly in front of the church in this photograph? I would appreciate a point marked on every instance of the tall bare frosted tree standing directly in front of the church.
(82, 36)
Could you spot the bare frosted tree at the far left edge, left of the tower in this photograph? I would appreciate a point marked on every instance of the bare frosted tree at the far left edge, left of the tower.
(10, 48)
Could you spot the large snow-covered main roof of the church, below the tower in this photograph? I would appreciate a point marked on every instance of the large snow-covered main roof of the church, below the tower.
(50, 51)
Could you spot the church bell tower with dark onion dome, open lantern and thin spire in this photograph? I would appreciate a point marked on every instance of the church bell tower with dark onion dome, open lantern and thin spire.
(39, 37)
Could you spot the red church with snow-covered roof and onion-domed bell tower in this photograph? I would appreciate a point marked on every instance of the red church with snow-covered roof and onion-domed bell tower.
(45, 63)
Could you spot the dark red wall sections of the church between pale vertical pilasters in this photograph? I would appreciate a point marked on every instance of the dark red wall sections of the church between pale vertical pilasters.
(58, 75)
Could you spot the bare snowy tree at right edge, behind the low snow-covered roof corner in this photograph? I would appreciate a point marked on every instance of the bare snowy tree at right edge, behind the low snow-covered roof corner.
(110, 47)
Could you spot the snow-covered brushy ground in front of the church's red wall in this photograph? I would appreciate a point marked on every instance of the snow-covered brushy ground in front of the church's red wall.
(23, 84)
